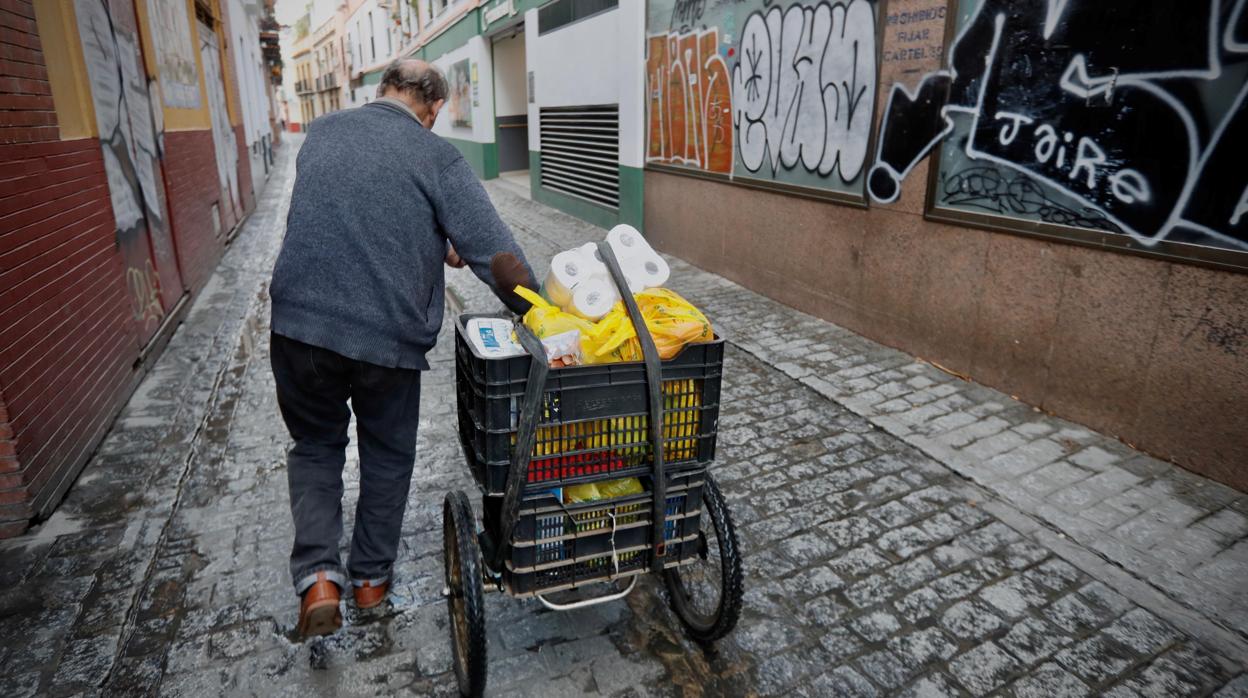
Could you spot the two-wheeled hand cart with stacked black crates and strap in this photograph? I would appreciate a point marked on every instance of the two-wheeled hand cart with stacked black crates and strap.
(530, 431)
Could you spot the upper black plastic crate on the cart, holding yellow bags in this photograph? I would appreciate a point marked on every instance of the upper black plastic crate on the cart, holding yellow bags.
(595, 420)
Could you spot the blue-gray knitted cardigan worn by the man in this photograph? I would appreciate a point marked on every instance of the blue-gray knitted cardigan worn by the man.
(361, 269)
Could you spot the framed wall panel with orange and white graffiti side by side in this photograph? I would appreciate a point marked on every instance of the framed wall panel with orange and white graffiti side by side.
(789, 98)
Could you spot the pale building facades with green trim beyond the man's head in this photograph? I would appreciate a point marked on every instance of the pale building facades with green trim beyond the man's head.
(575, 66)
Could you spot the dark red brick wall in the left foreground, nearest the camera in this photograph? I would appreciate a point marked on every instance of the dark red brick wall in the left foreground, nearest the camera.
(68, 340)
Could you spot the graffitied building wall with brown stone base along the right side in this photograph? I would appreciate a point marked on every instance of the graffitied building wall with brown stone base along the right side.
(1039, 197)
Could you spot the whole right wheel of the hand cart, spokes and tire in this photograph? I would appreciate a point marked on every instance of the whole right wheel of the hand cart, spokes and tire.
(707, 594)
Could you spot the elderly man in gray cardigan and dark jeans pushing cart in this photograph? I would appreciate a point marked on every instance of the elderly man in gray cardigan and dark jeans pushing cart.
(380, 203)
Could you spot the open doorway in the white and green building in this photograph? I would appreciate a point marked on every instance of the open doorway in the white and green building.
(511, 103)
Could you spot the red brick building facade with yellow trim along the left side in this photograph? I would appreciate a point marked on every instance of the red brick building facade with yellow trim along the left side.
(127, 165)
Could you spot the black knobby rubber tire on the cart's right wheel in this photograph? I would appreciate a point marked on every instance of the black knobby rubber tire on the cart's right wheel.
(711, 626)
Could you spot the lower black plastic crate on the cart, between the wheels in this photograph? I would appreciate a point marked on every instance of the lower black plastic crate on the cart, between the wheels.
(550, 534)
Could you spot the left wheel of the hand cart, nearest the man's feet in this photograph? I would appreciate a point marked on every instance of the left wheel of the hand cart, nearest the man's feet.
(465, 594)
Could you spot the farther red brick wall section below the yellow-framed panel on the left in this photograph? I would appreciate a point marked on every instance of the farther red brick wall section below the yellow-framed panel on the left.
(192, 184)
